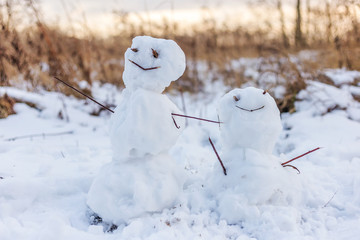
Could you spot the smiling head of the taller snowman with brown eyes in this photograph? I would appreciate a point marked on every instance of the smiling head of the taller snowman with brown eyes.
(152, 64)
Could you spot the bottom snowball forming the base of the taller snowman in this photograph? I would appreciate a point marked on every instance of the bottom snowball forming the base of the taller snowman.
(128, 190)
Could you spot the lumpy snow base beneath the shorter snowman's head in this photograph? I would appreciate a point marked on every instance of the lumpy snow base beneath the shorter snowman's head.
(253, 180)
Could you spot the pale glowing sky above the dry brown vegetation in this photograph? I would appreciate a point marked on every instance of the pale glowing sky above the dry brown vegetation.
(98, 14)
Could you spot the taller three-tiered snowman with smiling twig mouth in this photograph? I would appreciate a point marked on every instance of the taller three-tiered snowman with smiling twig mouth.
(142, 177)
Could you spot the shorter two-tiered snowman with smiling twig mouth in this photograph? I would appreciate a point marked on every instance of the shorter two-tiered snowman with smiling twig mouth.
(250, 127)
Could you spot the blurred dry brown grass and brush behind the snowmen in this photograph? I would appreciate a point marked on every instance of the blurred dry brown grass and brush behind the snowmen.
(39, 52)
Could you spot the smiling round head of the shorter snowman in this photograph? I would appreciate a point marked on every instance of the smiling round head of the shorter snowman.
(251, 119)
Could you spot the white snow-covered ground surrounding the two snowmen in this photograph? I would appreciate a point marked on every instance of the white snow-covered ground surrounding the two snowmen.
(49, 156)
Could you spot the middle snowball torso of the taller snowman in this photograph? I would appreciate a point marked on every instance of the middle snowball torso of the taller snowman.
(142, 125)
